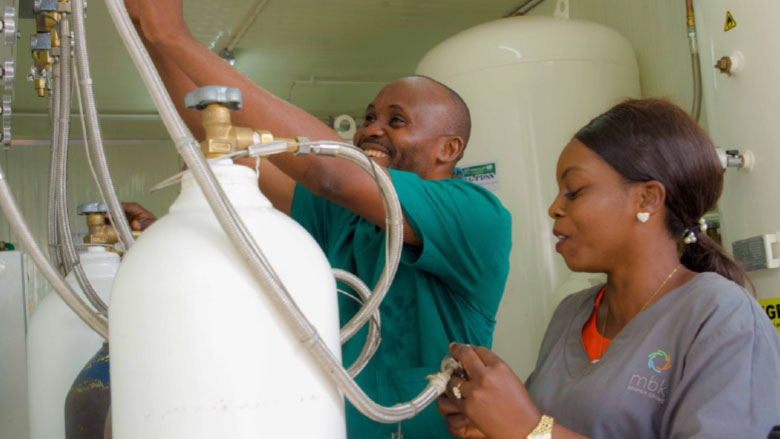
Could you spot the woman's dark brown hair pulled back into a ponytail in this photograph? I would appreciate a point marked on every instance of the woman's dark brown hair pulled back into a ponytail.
(653, 139)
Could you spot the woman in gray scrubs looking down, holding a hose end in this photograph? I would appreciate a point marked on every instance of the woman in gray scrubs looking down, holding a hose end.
(672, 345)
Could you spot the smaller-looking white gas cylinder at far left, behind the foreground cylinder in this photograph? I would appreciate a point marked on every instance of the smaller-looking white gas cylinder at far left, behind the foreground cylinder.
(59, 344)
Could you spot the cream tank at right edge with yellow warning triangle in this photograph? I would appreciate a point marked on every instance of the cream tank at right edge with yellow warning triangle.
(742, 111)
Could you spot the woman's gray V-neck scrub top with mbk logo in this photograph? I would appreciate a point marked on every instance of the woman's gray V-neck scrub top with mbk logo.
(702, 362)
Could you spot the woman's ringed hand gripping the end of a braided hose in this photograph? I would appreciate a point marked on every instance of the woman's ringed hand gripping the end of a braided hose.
(493, 401)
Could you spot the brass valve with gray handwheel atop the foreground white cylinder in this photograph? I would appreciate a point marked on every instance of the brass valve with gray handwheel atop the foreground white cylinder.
(222, 138)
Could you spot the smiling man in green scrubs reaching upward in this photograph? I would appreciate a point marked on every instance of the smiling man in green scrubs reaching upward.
(456, 234)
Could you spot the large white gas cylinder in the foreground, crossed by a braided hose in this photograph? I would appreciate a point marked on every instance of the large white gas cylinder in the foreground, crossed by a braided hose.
(197, 349)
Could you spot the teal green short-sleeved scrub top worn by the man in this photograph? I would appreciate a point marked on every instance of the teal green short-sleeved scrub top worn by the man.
(446, 290)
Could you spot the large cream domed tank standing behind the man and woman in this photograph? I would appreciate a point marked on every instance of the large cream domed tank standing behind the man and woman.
(530, 84)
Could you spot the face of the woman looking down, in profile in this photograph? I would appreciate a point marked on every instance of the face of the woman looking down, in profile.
(594, 212)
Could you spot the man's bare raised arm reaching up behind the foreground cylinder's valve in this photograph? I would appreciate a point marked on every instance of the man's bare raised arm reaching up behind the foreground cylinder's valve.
(172, 45)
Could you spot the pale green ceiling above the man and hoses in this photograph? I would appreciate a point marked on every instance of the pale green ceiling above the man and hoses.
(291, 40)
